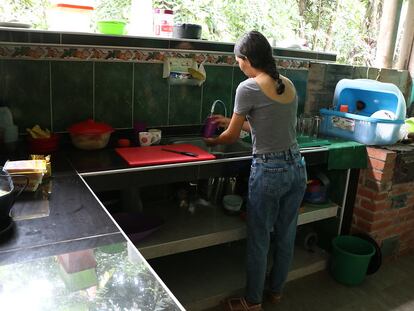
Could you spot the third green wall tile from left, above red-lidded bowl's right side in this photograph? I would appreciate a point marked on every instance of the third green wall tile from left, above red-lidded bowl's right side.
(113, 93)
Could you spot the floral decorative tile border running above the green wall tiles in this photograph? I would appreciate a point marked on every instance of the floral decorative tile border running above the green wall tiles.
(44, 52)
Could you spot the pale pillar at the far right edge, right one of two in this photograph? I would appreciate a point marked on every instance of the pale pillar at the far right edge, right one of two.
(407, 39)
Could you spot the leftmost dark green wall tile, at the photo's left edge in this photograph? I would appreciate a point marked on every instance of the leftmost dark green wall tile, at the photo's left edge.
(25, 88)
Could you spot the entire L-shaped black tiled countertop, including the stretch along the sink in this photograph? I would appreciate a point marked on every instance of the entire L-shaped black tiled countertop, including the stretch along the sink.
(73, 248)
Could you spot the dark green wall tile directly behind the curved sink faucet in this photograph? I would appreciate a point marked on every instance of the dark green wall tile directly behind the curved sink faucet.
(218, 85)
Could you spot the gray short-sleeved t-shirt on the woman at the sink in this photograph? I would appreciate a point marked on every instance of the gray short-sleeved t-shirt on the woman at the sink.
(273, 124)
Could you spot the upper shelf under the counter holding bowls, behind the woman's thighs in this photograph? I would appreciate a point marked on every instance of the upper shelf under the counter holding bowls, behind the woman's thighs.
(207, 226)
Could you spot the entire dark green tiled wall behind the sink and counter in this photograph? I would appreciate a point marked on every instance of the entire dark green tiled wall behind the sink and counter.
(56, 94)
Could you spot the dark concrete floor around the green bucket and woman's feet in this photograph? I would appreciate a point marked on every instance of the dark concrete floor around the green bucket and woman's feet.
(389, 289)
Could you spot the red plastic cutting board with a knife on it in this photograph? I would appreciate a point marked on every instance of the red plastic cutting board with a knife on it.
(153, 155)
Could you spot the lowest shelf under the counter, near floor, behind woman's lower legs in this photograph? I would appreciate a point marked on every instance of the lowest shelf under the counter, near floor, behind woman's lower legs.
(203, 278)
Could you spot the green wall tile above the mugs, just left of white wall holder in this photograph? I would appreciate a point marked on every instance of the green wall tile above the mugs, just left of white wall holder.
(150, 94)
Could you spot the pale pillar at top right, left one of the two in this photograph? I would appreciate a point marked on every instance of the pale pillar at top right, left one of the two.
(391, 11)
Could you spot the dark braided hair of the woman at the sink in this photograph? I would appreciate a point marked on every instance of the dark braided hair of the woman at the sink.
(255, 47)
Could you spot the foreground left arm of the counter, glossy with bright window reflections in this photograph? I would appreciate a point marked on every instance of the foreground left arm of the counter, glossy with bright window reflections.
(66, 251)
